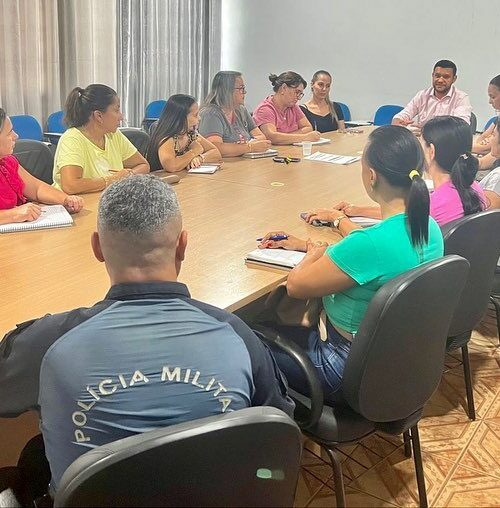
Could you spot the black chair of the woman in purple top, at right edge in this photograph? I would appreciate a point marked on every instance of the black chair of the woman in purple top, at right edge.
(476, 238)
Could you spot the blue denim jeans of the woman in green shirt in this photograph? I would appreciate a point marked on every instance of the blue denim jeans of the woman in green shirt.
(328, 357)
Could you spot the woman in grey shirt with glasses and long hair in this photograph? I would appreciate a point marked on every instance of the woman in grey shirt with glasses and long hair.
(225, 121)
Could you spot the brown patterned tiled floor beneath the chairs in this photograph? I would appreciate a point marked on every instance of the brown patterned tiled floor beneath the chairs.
(461, 458)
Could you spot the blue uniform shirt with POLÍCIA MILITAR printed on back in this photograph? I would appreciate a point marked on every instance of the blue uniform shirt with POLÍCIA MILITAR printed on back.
(145, 357)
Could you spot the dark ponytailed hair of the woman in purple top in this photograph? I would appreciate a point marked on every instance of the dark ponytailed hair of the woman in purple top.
(452, 140)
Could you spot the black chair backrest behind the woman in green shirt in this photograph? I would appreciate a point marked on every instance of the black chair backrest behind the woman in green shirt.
(396, 359)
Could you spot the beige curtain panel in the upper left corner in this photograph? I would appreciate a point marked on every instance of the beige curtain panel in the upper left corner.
(50, 46)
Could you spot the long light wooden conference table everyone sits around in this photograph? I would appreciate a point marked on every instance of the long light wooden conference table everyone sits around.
(54, 270)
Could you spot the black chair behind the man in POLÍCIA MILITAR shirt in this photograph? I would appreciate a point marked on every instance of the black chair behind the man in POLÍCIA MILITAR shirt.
(249, 457)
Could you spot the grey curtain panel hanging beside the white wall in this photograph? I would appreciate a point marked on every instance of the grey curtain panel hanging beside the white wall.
(166, 47)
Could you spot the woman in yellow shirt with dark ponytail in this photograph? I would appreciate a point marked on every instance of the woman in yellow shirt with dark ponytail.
(93, 153)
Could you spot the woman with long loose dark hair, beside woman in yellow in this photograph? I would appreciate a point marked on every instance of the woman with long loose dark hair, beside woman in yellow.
(175, 144)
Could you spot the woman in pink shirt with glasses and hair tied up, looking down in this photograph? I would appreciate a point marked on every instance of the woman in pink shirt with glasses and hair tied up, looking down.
(279, 117)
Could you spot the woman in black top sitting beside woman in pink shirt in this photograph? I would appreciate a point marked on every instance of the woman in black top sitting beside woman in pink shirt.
(323, 114)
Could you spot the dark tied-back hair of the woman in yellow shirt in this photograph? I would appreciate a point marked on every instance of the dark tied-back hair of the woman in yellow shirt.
(81, 103)
